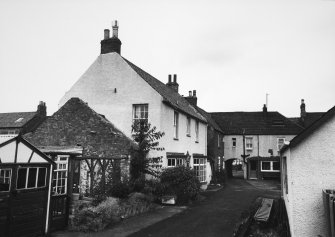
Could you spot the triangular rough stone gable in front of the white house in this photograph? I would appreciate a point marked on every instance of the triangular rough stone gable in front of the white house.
(76, 124)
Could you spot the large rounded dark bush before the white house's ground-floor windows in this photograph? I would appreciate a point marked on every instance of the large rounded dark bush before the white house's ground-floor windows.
(181, 181)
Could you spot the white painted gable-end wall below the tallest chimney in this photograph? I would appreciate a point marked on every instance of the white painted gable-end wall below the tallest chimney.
(97, 85)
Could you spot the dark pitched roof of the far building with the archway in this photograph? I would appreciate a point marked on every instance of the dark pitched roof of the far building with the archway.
(255, 123)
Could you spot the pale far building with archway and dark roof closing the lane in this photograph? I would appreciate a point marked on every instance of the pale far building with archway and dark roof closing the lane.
(255, 138)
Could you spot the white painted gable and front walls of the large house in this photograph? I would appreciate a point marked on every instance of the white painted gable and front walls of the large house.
(97, 87)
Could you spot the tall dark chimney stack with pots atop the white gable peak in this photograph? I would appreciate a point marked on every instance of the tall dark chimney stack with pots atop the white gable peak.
(110, 45)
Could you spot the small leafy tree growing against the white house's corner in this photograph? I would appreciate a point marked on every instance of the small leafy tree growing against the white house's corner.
(146, 138)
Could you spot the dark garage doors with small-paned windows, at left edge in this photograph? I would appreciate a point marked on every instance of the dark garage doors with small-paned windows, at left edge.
(23, 199)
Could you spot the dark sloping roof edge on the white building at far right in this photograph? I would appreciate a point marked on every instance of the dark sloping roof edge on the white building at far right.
(310, 129)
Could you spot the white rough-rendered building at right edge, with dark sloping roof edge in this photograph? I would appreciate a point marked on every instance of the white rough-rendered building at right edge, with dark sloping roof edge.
(308, 167)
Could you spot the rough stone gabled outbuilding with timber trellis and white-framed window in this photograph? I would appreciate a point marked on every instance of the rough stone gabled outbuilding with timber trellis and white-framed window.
(83, 144)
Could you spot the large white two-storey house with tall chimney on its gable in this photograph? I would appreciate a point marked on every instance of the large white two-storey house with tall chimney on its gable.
(124, 93)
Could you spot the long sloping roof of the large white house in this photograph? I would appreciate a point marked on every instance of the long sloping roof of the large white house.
(171, 97)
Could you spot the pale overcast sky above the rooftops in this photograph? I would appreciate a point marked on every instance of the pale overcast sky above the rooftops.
(231, 52)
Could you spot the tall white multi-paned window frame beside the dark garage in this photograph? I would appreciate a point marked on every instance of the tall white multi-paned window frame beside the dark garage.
(61, 172)
